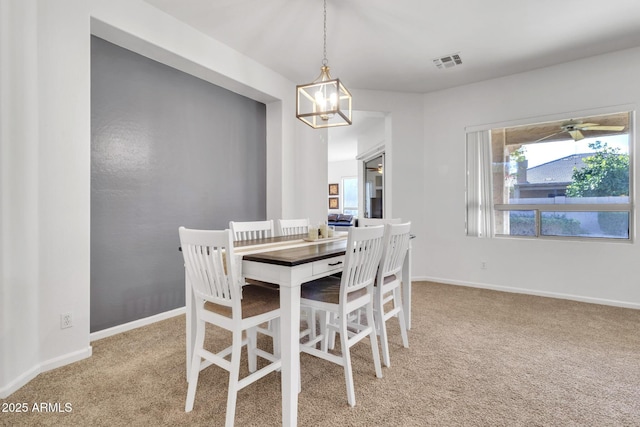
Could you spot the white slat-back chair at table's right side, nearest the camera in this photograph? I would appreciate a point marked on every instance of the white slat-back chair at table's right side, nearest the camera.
(341, 296)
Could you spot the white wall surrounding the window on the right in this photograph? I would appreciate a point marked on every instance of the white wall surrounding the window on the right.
(590, 271)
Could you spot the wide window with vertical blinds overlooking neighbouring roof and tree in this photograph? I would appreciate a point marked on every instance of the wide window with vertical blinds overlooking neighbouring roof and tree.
(568, 178)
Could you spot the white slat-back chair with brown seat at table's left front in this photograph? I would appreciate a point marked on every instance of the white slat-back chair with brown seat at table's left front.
(222, 301)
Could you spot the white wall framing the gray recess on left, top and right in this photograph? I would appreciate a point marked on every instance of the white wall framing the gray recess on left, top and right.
(45, 147)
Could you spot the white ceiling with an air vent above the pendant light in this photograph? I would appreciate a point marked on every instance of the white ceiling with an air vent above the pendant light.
(391, 45)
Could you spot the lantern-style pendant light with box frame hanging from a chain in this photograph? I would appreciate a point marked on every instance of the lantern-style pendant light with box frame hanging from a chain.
(325, 102)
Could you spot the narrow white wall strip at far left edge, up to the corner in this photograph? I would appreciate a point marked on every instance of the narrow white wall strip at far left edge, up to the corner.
(18, 192)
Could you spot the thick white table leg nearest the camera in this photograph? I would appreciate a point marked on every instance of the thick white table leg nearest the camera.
(290, 352)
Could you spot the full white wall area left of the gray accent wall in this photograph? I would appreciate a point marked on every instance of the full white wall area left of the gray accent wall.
(45, 252)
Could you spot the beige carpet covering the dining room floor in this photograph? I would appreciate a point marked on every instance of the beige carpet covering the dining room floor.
(476, 358)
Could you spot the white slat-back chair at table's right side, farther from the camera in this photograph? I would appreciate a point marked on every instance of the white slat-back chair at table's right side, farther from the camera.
(388, 280)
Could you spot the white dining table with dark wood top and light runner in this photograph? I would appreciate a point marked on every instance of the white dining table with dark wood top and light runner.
(289, 261)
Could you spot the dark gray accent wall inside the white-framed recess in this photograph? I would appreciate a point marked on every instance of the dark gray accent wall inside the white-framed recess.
(167, 149)
